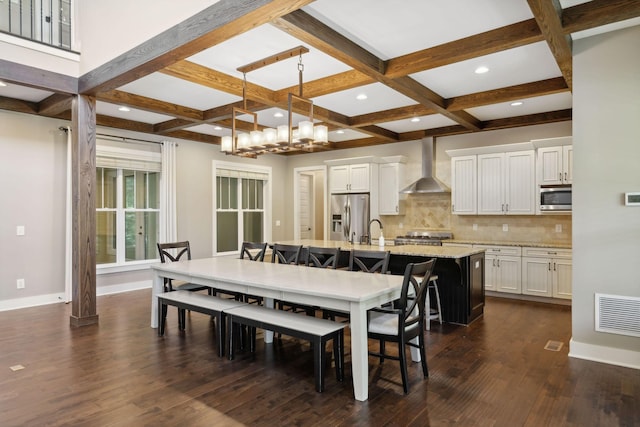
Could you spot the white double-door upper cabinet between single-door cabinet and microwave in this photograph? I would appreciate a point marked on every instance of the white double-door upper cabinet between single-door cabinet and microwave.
(506, 183)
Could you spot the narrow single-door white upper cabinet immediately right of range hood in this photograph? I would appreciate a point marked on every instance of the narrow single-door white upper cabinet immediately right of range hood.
(464, 188)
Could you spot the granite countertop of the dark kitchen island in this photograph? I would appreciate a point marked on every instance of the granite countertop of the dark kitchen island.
(417, 250)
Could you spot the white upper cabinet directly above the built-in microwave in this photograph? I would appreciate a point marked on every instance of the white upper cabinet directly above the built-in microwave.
(555, 160)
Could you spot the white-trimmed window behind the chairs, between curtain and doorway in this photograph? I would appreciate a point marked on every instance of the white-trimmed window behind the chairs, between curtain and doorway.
(241, 208)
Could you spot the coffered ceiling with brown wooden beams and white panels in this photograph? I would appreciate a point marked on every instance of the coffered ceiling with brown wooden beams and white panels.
(414, 61)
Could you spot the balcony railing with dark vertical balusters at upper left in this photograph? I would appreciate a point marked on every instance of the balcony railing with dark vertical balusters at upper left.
(43, 21)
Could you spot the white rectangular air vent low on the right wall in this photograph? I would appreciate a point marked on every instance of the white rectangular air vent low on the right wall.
(618, 314)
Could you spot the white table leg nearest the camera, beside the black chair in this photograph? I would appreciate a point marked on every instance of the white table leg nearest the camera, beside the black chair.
(359, 352)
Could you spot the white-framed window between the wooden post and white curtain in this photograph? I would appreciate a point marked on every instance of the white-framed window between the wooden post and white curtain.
(127, 215)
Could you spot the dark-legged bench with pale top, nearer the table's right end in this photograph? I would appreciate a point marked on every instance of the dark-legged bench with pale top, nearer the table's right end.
(317, 331)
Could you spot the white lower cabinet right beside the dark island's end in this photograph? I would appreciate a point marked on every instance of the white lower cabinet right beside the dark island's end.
(503, 268)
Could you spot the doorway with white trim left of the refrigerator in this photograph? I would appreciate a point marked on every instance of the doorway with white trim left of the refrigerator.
(309, 205)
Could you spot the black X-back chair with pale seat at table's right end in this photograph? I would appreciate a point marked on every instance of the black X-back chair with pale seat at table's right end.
(405, 320)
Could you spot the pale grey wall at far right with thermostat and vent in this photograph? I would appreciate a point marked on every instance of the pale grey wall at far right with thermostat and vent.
(606, 234)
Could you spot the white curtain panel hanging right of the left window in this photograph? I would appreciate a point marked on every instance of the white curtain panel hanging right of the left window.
(168, 222)
